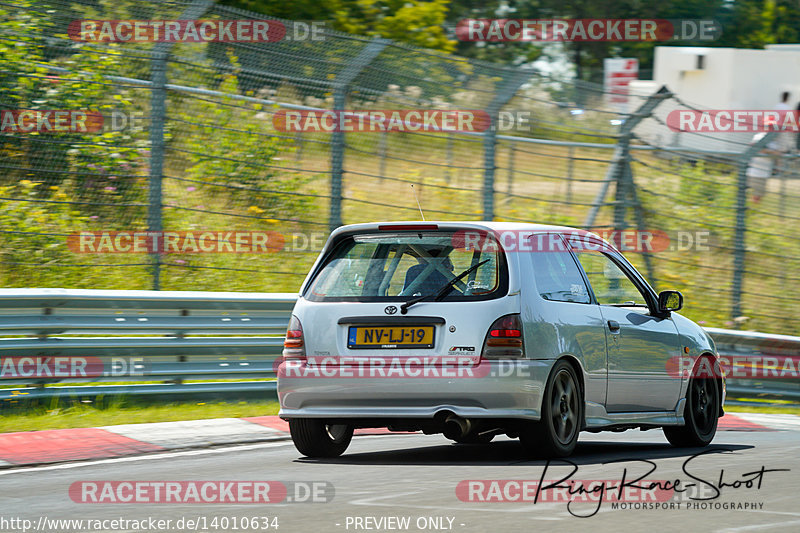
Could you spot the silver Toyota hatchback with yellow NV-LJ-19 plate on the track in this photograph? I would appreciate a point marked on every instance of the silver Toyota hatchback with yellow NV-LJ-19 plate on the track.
(475, 329)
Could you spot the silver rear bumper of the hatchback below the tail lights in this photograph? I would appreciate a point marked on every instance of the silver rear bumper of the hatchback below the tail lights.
(497, 389)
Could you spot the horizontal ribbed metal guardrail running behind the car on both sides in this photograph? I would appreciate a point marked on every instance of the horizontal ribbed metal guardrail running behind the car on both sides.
(172, 337)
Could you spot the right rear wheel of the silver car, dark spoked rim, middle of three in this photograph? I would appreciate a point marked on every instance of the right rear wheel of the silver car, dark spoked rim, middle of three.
(556, 434)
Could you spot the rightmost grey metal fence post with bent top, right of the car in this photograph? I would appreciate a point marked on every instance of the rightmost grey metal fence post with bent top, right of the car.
(740, 228)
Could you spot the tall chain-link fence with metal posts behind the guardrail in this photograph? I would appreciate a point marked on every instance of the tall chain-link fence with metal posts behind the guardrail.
(193, 139)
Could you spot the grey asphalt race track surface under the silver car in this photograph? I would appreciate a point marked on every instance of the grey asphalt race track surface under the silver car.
(414, 478)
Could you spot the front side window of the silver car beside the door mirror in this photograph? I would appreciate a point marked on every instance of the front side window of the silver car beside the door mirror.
(611, 285)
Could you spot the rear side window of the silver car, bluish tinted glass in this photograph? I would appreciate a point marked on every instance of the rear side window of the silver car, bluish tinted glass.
(558, 277)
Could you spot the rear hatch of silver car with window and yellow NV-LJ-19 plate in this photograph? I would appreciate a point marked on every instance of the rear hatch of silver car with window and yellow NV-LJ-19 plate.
(403, 295)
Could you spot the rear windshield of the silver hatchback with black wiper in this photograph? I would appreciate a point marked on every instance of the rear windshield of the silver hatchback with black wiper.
(399, 266)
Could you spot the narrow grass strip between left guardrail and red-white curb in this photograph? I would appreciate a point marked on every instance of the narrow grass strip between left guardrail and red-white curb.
(82, 416)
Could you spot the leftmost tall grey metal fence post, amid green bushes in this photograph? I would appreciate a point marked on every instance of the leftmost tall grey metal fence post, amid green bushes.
(158, 111)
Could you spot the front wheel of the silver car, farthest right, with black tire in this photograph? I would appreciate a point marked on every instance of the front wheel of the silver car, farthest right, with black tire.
(700, 415)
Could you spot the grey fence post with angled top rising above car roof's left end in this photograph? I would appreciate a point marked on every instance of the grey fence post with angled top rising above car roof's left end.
(340, 85)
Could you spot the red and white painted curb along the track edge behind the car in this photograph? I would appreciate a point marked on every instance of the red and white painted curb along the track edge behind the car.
(61, 445)
